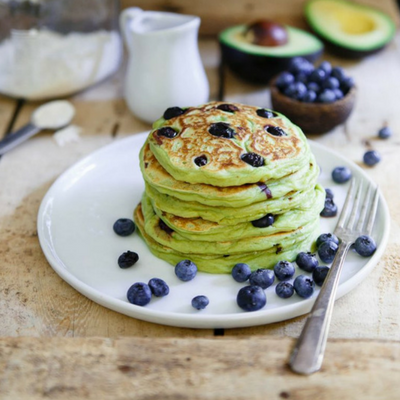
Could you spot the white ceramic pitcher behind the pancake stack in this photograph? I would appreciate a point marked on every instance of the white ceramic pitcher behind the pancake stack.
(164, 66)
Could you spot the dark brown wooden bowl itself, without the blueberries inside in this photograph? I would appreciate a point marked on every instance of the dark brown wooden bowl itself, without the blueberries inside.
(313, 118)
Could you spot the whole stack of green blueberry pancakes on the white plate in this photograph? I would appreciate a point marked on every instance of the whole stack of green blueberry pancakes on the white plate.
(227, 183)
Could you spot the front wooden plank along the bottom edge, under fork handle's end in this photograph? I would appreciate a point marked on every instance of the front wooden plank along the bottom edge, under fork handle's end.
(143, 369)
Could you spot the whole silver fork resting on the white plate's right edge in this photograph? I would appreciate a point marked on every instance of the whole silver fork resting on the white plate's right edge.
(353, 222)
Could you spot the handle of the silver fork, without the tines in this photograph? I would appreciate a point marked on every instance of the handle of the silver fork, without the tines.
(309, 351)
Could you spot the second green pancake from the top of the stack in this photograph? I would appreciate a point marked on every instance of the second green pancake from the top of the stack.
(233, 196)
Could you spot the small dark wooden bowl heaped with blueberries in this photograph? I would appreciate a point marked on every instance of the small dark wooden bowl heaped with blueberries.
(317, 99)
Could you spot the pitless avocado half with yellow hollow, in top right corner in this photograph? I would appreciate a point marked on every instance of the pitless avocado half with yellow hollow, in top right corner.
(351, 29)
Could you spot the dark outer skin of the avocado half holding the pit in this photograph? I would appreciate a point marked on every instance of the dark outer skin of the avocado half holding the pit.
(257, 68)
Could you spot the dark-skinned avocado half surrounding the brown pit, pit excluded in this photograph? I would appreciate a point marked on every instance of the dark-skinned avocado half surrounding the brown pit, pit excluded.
(258, 64)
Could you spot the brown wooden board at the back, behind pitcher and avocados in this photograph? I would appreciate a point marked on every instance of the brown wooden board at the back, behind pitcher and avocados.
(218, 15)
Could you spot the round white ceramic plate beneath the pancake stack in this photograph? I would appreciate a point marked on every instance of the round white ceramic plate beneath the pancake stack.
(75, 230)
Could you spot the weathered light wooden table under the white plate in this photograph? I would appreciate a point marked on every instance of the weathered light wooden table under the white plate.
(55, 343)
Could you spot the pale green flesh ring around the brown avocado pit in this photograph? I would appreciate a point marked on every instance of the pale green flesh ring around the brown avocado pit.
(300, 43)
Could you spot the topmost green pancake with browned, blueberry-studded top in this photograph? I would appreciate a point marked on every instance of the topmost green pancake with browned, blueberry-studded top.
(280, 146)
